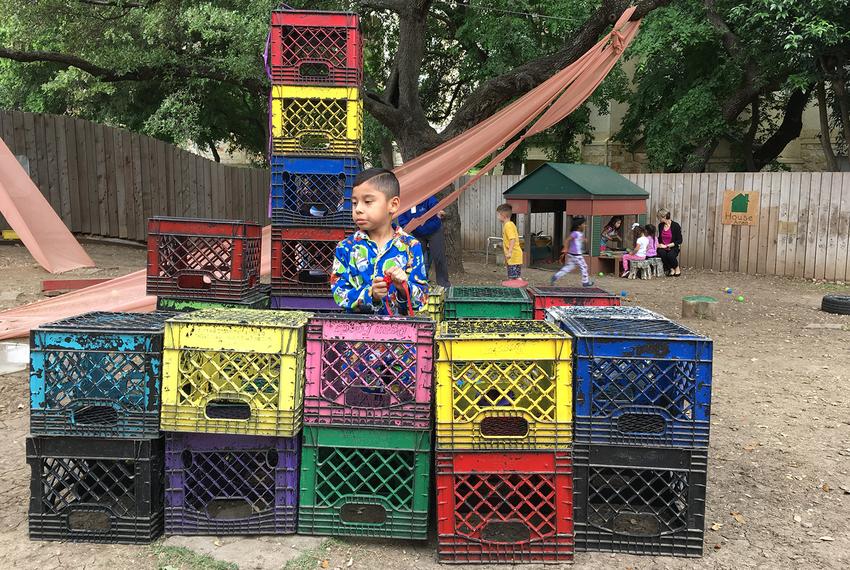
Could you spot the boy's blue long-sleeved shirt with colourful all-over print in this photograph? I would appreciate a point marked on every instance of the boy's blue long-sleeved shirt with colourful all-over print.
(358, 262)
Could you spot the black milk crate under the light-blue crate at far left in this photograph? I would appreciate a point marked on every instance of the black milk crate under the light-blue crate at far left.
(95, 490)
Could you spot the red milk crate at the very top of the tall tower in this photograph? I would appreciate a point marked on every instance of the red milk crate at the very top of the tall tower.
(315, 48)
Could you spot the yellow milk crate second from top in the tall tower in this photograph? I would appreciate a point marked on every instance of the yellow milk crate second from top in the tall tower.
(316, 120)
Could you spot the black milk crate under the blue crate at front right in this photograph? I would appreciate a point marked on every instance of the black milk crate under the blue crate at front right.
(639, 500)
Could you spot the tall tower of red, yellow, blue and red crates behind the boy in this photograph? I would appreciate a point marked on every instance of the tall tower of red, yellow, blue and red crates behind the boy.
(315, 63)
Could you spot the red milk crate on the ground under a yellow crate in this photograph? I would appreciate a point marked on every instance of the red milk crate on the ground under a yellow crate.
(505, 507)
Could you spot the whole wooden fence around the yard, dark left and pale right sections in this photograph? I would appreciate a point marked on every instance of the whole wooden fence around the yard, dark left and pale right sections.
(107, 181)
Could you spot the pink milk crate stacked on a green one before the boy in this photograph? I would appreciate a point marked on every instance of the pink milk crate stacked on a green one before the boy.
(366, 461)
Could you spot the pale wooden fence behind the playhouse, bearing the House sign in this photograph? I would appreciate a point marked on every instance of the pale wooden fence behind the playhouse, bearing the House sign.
(803, 227)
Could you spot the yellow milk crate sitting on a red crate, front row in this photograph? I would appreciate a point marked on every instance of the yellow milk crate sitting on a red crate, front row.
(503, 384)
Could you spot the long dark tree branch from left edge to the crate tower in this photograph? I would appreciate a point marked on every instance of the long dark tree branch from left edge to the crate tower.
(144, 73)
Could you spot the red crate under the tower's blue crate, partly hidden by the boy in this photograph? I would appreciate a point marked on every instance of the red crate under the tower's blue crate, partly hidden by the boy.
(302, 259)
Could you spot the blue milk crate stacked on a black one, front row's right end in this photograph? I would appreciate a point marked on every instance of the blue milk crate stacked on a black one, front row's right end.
(642, 406)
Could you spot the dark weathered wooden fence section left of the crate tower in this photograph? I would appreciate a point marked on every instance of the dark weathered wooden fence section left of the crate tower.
(107, 181)
